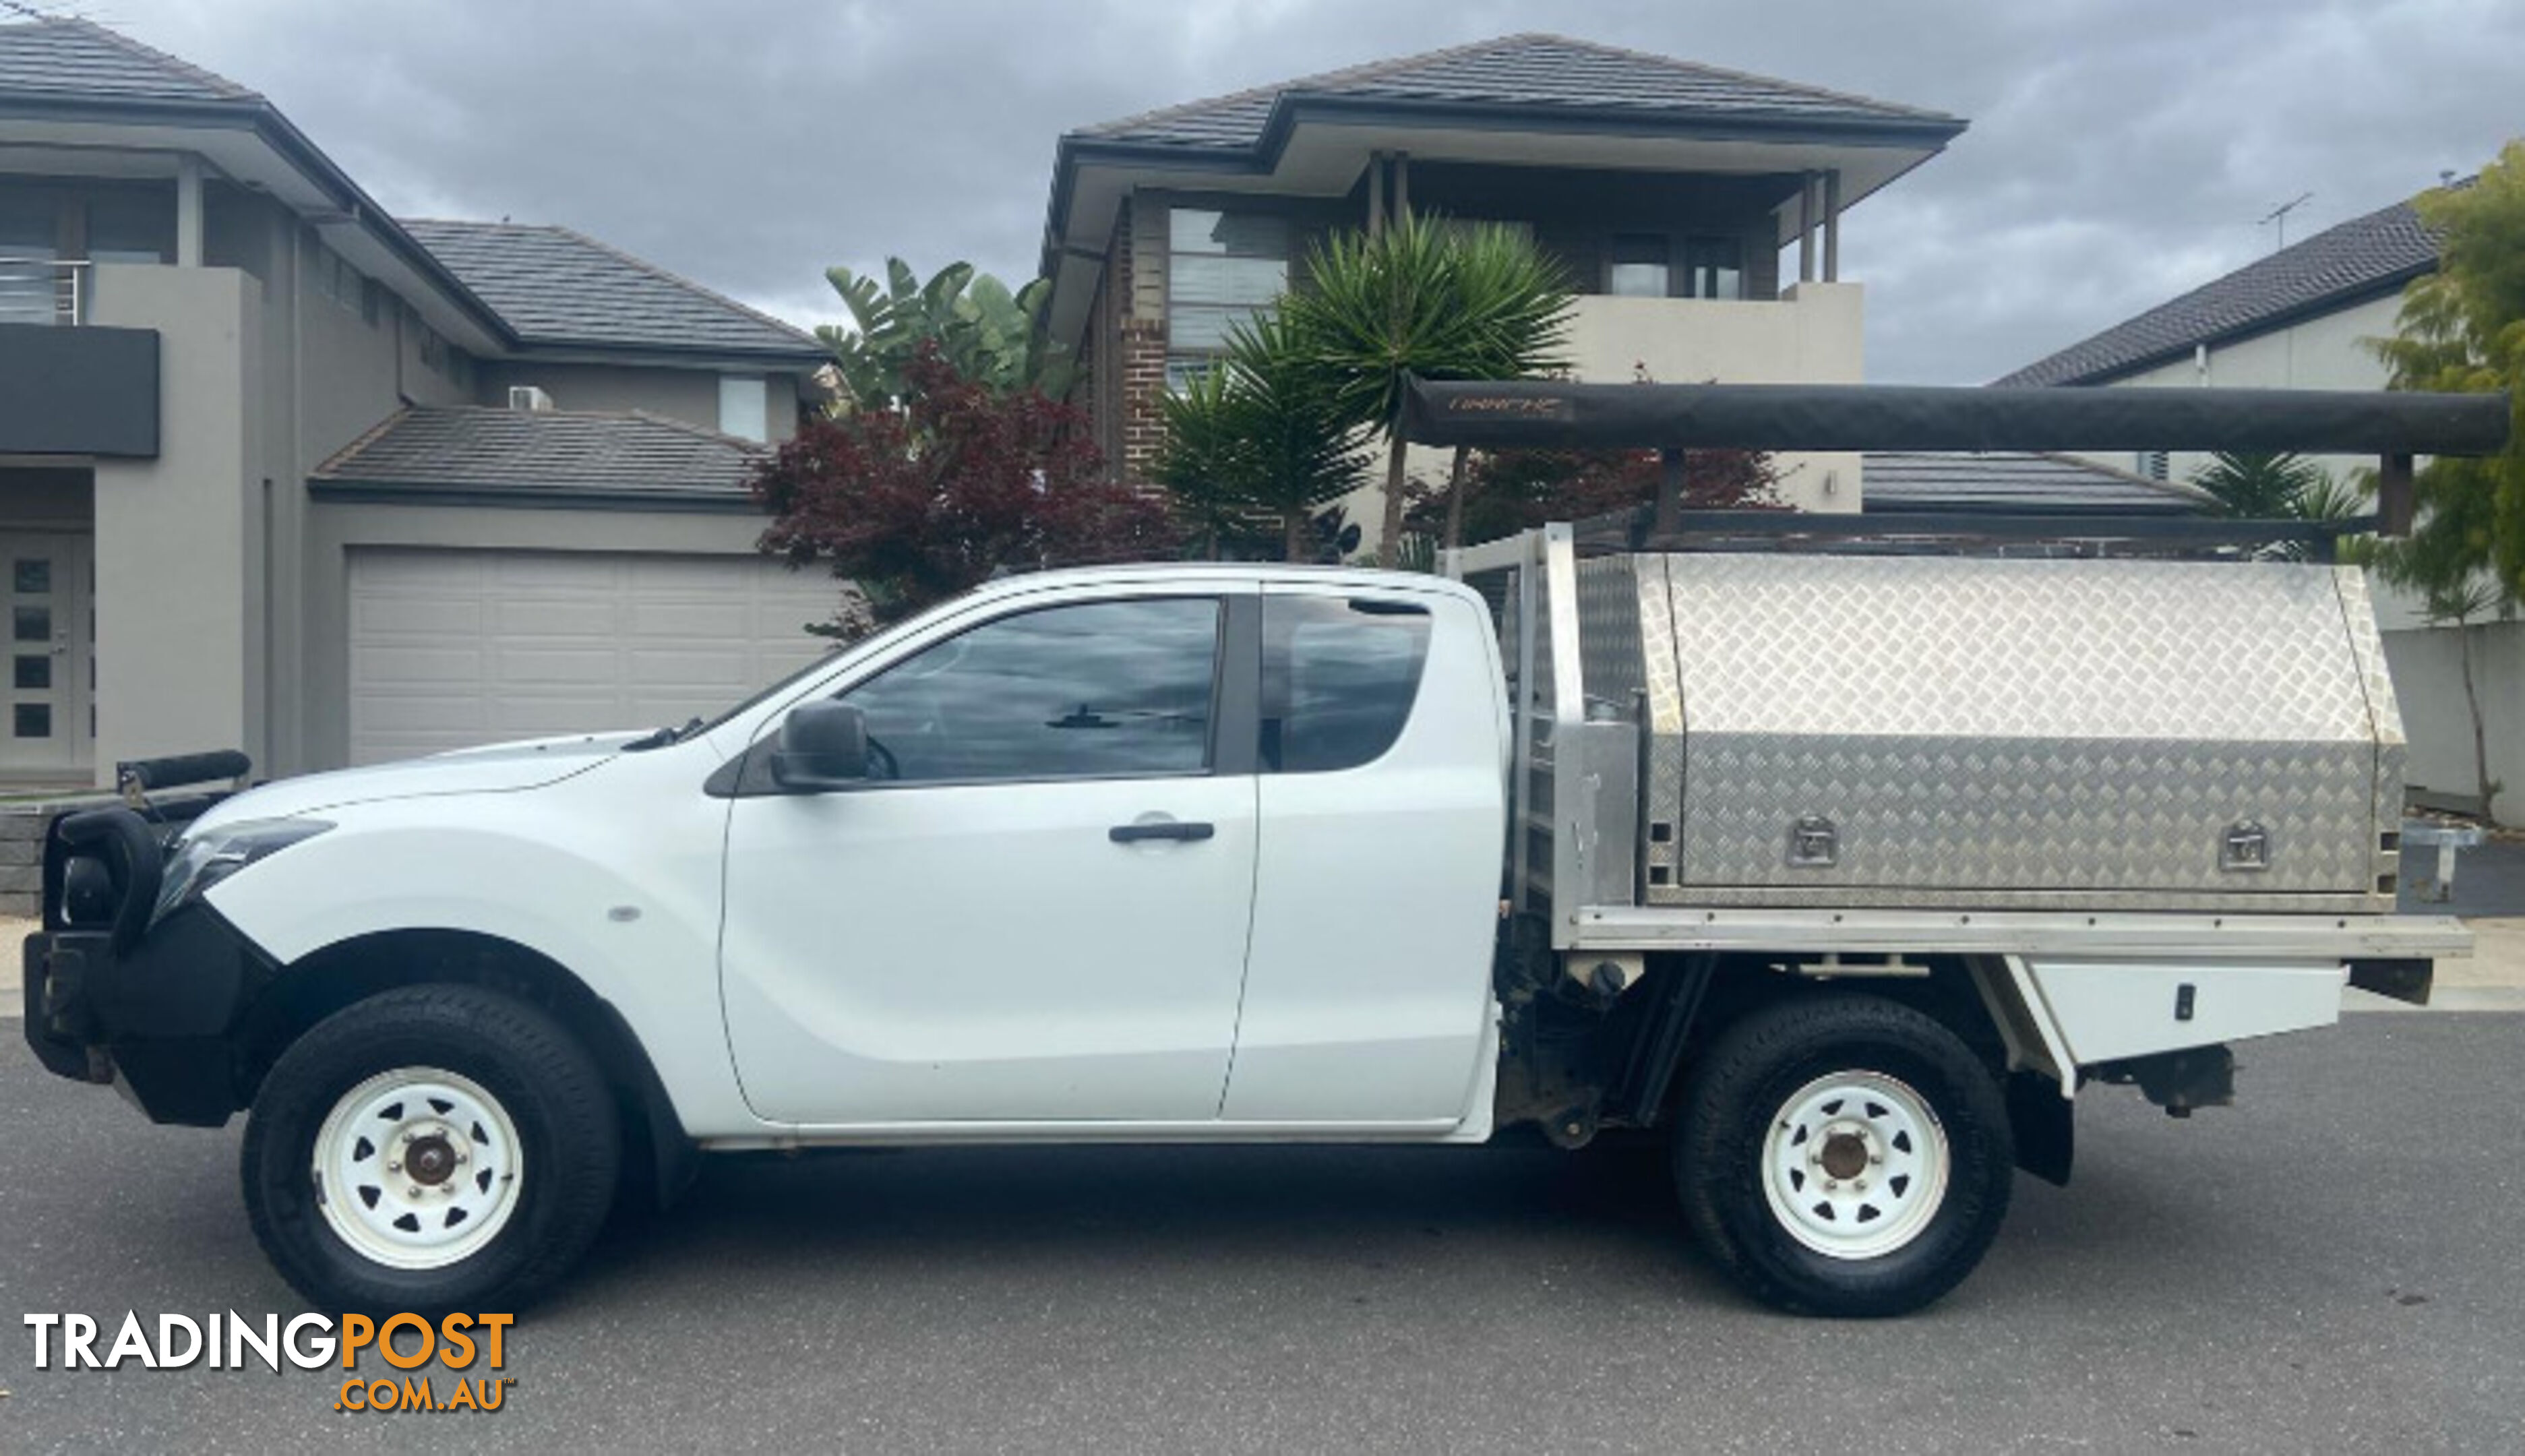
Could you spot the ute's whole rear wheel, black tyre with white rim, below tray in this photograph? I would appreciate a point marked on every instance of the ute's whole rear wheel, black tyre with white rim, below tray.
(1845, 1157)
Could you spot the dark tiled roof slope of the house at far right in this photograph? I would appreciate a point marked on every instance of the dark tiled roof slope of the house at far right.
(2342, 264)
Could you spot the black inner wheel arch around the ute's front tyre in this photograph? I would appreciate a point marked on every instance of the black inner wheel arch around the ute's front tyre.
(360, 968)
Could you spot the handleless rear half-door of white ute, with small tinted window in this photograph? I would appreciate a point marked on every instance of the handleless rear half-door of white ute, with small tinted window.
(1367, 988)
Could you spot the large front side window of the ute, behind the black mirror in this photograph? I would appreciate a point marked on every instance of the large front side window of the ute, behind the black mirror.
(1092, 690)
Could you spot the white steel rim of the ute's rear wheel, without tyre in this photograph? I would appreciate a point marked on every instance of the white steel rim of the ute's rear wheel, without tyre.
(1855, 1165)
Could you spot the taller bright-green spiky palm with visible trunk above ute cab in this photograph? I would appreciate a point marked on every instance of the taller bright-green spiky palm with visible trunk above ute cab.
(1425, 299)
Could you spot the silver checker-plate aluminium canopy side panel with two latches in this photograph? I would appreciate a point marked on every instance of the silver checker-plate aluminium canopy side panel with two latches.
(2019, 733)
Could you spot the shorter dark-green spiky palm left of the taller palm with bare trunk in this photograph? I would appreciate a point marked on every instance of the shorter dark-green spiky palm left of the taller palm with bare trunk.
(1259, 435)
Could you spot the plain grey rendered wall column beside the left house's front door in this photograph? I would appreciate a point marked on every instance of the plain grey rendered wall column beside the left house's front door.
(181, 539)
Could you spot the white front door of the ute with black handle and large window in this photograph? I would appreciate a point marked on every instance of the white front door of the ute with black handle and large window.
(1037, 907)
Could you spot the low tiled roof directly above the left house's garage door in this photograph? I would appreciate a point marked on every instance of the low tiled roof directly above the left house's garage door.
(544, 455)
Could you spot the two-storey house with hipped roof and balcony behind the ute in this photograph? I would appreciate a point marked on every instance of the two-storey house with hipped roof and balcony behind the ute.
(1696, 211)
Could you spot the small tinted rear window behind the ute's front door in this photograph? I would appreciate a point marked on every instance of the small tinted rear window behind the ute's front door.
(1337, 680)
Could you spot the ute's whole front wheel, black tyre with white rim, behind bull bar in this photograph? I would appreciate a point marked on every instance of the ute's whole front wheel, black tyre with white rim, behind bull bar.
(431, 1149)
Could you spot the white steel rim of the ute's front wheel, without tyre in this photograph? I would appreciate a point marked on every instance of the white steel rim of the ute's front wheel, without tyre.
(418, 1170)
